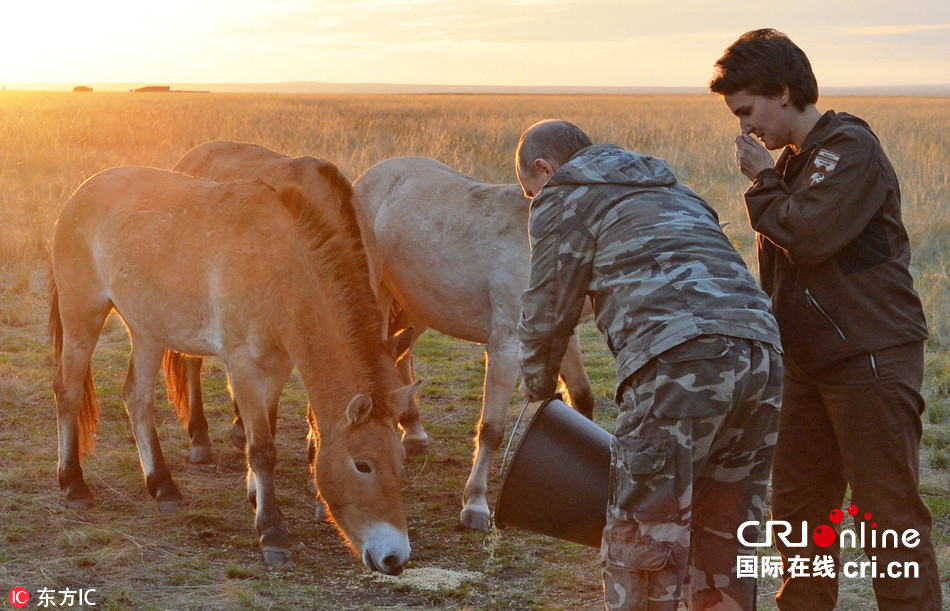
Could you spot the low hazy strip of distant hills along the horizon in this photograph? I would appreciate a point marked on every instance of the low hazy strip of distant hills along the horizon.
(313, 87)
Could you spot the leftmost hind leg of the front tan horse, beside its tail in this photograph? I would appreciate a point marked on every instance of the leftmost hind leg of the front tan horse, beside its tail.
(70, 387)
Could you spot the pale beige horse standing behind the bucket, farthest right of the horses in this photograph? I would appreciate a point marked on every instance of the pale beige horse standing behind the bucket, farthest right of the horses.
(453, 252)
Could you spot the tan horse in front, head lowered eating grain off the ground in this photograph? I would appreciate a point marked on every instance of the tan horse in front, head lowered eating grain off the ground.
(257, 278)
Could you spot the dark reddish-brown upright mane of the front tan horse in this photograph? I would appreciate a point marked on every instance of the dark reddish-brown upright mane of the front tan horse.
(340, 260)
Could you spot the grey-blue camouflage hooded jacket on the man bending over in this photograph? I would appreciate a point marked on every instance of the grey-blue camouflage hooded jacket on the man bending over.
(618, 227)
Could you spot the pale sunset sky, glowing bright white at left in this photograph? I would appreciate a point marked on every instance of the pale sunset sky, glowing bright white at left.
(583, 43)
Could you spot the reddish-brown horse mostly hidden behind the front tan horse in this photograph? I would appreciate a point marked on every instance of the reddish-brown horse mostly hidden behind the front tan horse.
(223, 161)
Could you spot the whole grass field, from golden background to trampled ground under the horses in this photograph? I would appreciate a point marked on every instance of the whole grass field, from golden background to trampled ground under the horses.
(207, 557)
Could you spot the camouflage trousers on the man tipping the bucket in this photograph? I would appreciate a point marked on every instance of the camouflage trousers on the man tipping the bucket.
(690, 462)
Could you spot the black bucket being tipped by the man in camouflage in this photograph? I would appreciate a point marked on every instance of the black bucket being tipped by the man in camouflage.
(557, 481)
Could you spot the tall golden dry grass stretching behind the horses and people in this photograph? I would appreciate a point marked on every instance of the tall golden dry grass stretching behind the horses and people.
(51, 142)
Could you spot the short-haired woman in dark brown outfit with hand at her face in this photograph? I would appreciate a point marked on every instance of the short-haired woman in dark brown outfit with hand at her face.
(834, 257)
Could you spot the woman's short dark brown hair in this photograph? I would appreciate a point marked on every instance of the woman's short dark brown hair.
(764, 62)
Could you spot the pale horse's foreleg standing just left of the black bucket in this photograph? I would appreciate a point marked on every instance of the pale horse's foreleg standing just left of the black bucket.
(501, 374)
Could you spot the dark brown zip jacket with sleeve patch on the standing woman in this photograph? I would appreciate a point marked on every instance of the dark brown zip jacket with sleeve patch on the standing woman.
(833, 252)
